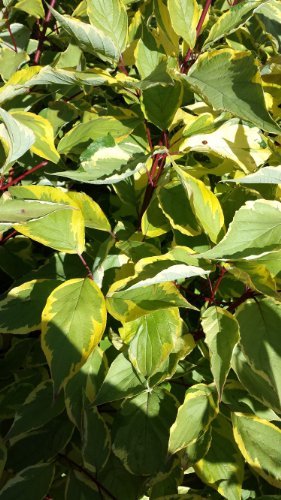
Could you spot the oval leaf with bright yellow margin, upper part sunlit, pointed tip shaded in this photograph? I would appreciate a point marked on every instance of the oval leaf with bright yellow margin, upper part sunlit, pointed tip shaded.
(73, 322)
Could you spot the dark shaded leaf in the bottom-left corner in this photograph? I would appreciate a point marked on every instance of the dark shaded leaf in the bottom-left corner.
(32, 482)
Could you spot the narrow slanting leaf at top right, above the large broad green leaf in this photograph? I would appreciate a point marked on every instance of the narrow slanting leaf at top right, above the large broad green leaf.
(231, 20)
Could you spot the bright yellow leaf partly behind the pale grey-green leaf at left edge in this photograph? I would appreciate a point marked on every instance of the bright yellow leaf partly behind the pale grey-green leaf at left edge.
(44, 134)
